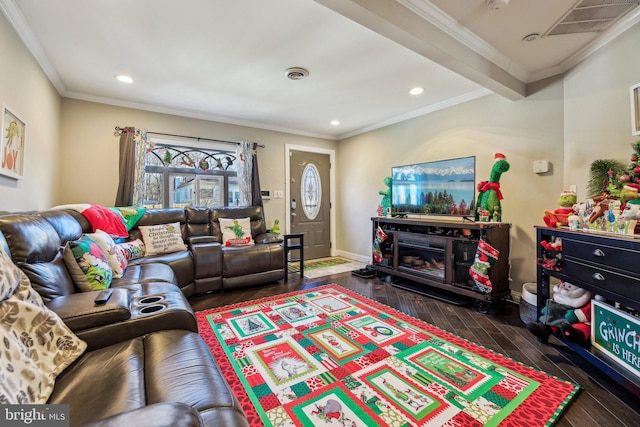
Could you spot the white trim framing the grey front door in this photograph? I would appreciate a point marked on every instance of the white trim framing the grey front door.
(332, 186)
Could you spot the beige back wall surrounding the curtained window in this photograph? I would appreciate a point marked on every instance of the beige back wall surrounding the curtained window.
(89, 165)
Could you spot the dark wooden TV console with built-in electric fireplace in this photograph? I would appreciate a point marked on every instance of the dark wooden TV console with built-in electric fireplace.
(433, 257)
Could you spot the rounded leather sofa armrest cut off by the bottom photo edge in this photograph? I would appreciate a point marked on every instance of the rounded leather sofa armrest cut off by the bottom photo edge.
(164, 414)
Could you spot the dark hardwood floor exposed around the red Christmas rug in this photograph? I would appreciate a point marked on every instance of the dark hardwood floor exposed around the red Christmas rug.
(601, 401)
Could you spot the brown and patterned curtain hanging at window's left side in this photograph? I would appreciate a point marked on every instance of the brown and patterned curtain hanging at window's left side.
(133, 145)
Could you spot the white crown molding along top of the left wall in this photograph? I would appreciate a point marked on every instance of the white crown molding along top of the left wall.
(15, 17)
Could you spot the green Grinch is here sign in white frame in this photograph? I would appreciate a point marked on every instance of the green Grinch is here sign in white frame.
(617, 334)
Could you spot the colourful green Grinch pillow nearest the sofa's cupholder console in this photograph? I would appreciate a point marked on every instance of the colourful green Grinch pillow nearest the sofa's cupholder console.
(87, 265)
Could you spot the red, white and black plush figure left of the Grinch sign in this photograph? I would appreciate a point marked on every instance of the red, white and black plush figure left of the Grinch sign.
(569, 311)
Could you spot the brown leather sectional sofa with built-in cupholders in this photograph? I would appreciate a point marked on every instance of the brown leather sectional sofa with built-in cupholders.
(145, 362)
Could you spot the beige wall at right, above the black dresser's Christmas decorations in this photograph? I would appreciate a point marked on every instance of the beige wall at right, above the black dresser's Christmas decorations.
(597, 108)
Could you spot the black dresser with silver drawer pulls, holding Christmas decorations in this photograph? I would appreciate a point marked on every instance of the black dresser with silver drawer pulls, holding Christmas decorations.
(605, 264)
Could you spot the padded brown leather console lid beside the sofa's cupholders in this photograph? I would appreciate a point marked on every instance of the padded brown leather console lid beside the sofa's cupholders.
(79, 311)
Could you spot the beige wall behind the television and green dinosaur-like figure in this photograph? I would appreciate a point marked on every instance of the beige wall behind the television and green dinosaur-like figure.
(524, 131)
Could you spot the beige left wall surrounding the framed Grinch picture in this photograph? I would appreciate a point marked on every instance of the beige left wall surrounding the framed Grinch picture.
(27, 92)
